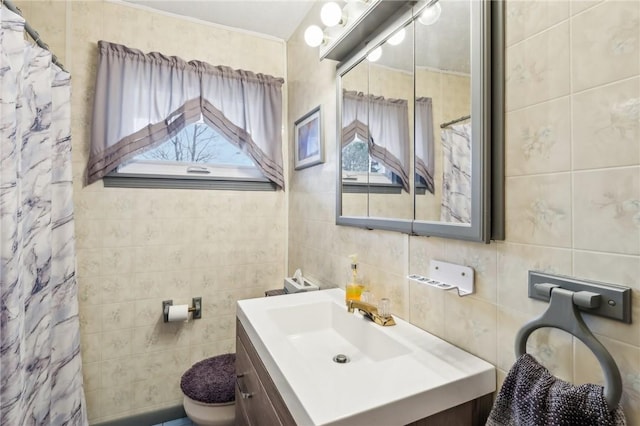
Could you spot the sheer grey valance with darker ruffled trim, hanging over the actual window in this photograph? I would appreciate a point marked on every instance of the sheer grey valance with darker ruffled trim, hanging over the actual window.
(143, 99)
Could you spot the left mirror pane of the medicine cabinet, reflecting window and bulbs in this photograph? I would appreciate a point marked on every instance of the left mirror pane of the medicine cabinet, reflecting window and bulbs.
(386, 132)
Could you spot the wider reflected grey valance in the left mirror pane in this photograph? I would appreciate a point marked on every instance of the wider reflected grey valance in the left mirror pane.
(384, 124)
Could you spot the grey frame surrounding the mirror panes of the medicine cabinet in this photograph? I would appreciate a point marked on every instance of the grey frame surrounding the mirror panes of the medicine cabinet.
(487, 120)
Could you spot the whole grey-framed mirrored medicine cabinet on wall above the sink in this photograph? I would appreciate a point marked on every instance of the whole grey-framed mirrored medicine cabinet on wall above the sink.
(420, 123)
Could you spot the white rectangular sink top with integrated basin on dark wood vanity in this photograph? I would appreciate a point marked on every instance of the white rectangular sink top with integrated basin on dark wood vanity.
(394, 376)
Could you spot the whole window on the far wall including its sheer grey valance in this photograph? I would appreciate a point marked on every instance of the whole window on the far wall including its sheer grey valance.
(143, 97)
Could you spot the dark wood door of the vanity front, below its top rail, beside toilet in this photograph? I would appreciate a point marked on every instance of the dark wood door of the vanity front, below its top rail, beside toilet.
(252, 402)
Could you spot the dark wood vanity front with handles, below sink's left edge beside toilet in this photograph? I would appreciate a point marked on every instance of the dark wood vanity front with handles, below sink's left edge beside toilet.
(258, 402)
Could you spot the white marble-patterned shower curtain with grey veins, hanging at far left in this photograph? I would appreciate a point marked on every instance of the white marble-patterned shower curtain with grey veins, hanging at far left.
(40, 365)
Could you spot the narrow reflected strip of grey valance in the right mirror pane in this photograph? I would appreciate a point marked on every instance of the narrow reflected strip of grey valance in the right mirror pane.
(425, 161)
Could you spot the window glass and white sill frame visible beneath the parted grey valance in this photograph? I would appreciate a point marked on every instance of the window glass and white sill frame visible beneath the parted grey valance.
(196, 157)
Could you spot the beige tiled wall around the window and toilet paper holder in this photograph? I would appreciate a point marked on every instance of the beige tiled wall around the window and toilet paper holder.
(137, 247)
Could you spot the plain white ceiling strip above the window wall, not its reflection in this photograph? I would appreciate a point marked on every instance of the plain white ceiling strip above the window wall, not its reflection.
(275, 18)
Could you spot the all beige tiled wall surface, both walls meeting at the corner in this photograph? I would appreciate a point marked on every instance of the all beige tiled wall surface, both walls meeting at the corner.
(572, 188)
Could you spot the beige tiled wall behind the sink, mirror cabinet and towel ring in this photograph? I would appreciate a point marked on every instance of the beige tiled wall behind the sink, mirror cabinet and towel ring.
(572, 193)
